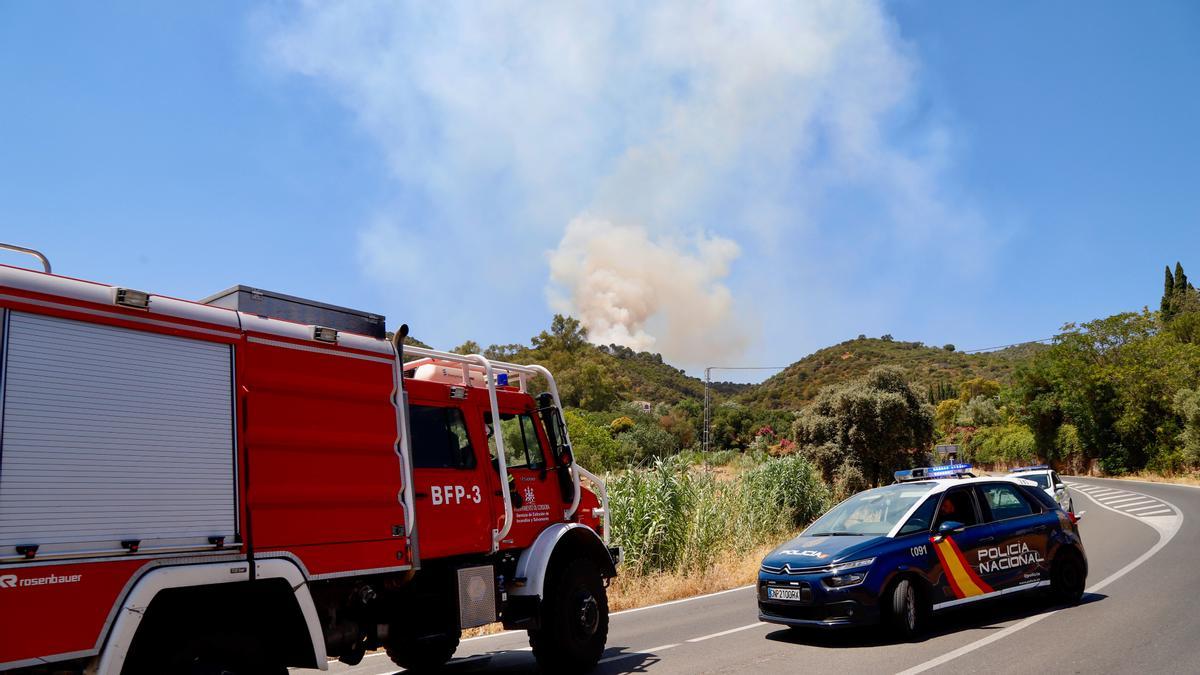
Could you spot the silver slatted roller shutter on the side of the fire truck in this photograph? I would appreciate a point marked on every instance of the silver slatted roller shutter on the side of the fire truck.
(113, 435)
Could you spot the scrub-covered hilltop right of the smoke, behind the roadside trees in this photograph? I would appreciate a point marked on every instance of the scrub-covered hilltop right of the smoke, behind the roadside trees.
(928, 368)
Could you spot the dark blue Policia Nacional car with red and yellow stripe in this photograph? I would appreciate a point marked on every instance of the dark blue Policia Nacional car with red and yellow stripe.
(938, 539)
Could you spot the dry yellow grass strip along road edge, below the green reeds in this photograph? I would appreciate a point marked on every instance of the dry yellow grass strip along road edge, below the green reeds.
(631, 593)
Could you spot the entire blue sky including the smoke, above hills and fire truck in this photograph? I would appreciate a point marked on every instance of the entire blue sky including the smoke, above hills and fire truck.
(718, 187)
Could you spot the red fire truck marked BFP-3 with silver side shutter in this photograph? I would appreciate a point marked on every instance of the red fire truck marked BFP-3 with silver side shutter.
(256, 481)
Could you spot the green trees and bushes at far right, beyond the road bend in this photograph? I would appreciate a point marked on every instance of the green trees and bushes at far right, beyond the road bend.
(1115, 396)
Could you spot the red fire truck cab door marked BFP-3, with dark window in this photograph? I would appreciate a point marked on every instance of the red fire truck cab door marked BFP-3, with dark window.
(454, 513)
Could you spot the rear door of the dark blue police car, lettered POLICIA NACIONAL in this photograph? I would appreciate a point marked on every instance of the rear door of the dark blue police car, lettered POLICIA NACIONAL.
(1022, 534)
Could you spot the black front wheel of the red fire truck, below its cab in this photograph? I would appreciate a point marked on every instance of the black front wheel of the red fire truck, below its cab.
(574, 620)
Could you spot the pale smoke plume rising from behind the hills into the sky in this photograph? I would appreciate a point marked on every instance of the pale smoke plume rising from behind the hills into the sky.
(644, 146)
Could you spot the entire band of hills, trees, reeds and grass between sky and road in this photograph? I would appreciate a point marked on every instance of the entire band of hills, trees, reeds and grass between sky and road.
(1118, 396)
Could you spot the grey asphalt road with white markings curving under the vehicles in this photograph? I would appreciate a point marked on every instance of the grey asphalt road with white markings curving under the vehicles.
(1138, 616)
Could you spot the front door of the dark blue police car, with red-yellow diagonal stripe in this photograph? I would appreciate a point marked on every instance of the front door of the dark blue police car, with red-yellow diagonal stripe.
(958, 549)
